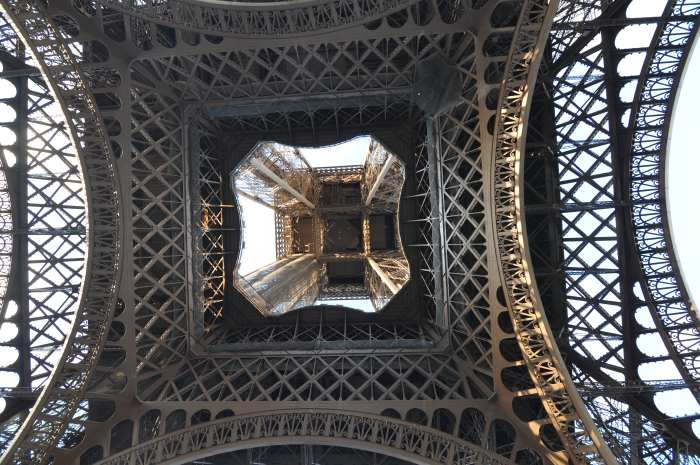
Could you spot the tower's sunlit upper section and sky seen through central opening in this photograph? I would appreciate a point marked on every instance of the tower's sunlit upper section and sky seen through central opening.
(320, 226)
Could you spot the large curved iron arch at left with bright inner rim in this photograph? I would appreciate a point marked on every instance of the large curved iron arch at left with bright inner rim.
(61, 395)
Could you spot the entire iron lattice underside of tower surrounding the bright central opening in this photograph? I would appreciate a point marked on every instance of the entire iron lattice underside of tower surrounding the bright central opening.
(534, 211)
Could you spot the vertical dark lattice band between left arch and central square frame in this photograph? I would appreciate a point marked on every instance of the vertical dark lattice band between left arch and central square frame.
(160, 229)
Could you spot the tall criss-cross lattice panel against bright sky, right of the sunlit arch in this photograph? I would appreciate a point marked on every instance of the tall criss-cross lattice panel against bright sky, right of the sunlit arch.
(591, 253)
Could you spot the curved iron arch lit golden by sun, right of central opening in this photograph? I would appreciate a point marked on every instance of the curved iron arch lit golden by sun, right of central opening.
(566, 409)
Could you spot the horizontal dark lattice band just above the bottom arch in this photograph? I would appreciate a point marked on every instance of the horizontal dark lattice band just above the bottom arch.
(313, 378)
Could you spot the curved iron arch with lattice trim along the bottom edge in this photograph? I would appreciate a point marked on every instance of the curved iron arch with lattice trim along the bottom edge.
(408, 441)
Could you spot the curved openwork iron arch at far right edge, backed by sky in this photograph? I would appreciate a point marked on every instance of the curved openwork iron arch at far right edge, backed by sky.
(663, 287)
